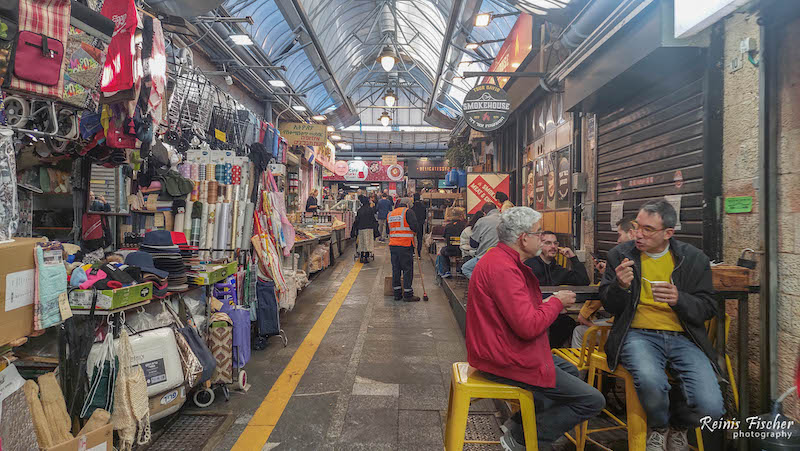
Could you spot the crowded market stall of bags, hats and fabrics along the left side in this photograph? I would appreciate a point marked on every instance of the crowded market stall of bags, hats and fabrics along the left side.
(146, 246)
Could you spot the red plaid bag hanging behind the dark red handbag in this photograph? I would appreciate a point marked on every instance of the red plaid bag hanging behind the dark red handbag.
(47, 18)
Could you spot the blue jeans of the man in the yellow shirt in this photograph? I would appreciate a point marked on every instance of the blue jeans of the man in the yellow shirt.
(647, 355)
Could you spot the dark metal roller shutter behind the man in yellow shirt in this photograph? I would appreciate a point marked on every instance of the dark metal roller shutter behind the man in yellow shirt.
(649, 147)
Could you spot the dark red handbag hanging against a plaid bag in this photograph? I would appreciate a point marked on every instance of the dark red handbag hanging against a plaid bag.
(38, 58)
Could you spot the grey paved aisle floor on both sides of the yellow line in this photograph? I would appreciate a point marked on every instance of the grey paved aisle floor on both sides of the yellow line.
(380, 377)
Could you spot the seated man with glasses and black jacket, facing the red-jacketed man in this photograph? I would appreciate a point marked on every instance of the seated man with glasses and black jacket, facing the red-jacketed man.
(550, 273)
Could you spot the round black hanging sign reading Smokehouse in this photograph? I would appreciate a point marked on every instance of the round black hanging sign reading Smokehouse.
(486, 107)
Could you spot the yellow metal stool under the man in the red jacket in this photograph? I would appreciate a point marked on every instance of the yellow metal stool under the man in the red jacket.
(468, 384)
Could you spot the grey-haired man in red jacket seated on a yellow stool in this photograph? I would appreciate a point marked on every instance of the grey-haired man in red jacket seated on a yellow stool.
(506, 331)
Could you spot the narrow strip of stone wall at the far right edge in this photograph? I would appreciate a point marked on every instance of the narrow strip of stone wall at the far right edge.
(789, 212)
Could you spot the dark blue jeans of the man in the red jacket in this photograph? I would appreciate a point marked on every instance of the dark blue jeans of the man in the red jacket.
(558, 409)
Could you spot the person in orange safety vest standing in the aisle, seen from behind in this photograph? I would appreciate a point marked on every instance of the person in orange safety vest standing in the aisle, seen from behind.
(402, 224)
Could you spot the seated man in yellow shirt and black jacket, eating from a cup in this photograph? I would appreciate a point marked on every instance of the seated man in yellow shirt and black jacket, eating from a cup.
(659, 291)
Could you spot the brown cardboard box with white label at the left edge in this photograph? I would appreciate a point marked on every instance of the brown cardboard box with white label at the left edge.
(17, 272)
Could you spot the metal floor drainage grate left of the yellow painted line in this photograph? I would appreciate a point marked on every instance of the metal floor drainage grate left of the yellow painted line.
(192, 431)
